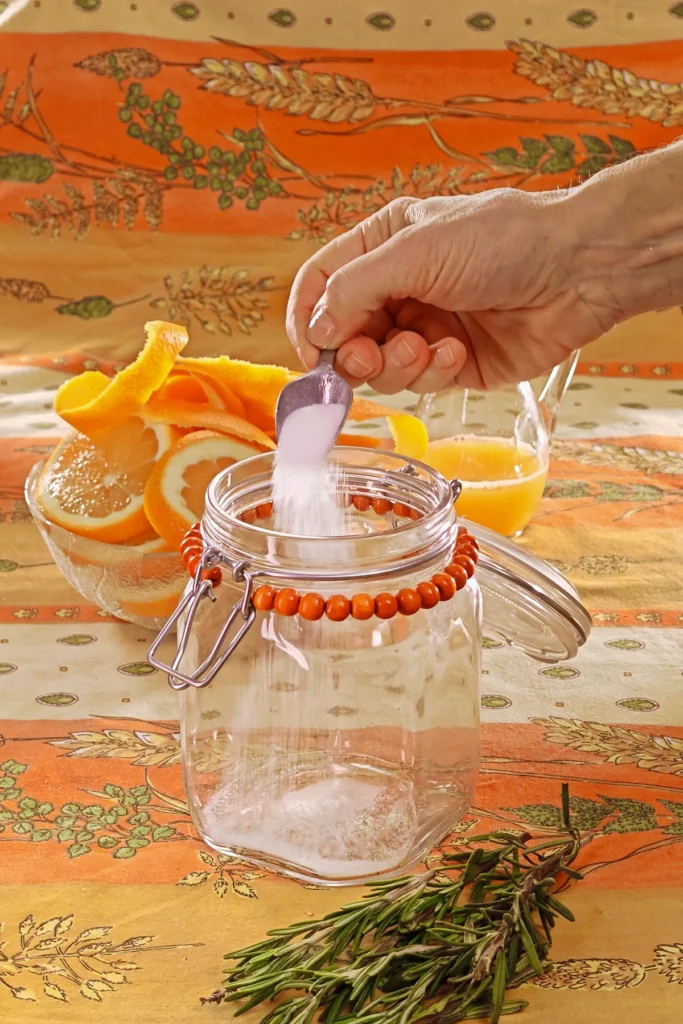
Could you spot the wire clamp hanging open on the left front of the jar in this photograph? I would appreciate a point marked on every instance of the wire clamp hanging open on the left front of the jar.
(218, 658)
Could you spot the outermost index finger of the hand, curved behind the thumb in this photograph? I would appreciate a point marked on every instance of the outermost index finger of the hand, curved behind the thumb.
(312, 281)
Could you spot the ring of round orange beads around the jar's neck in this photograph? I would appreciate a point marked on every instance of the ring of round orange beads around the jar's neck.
(288, 603)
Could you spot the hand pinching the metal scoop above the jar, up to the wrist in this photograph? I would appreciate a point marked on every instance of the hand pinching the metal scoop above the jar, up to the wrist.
(481, 291)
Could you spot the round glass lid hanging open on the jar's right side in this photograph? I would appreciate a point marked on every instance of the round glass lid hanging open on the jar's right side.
(527, 603)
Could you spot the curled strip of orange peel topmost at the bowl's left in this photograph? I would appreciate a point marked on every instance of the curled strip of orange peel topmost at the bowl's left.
(92, 403)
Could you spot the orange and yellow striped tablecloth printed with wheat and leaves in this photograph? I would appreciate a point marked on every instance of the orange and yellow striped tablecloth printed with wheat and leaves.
(112, 909)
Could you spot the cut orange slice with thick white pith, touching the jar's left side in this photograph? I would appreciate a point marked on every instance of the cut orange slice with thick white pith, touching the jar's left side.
(175, 493)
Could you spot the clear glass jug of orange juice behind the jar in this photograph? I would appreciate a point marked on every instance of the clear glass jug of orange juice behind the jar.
(497, 444)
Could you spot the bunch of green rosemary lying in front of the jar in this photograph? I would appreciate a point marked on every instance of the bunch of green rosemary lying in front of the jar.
(435, 949)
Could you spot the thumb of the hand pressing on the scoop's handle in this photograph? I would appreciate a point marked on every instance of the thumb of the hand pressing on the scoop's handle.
(364, 286)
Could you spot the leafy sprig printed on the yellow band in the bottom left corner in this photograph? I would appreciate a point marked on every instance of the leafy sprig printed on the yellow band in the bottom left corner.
(91, 965)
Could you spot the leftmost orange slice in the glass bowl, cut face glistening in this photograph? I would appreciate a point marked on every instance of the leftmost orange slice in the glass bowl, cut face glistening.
(97, 490)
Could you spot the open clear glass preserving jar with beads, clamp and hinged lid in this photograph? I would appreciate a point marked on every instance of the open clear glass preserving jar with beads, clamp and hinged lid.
(330, 717)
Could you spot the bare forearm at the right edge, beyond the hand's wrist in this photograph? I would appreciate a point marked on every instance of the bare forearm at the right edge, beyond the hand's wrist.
(628, 232)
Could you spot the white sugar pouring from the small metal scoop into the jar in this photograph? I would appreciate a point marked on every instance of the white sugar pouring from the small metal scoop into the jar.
(306, 487)
